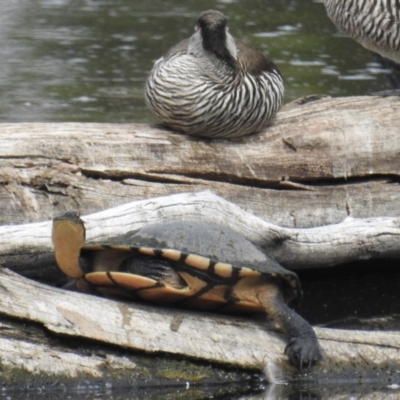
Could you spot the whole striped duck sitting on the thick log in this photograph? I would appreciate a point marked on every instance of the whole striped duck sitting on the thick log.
(213, 85)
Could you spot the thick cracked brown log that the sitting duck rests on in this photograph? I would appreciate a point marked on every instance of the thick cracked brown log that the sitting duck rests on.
(320, 162)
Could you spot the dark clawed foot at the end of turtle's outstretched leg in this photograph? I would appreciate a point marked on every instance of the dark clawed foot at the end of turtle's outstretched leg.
(303, 352)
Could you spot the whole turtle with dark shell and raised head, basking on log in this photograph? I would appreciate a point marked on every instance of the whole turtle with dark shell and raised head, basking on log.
(191, 264)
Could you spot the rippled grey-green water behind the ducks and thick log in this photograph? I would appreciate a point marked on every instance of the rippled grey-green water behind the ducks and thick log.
(87, 60)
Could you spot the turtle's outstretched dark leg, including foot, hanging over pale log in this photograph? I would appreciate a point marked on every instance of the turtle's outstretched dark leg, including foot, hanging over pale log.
(302, 349)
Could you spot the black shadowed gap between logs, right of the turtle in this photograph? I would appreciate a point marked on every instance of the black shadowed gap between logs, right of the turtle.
(361, 294)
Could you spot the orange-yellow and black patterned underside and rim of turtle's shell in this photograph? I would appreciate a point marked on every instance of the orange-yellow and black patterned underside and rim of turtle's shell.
(189, 280)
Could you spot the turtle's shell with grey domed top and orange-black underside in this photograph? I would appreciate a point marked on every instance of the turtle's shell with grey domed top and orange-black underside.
(195, 264)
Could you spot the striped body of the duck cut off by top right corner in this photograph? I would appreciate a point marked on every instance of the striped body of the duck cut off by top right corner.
(373, 23)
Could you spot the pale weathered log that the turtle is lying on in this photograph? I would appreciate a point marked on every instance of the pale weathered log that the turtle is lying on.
(229, 340)
